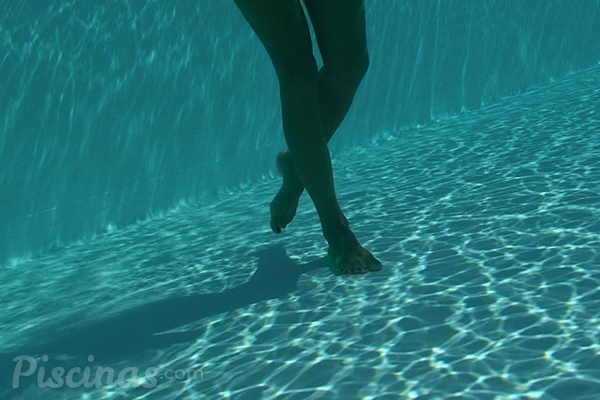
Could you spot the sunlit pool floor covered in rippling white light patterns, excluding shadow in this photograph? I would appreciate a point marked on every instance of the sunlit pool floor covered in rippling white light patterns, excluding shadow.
(489, 229)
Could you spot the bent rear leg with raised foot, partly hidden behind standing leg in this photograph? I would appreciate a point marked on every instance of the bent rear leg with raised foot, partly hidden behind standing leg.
(340, 28)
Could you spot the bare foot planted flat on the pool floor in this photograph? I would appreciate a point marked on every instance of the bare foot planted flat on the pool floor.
(347, 256)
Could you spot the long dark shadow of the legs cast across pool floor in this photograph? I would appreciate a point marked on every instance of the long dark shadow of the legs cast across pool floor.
(135, 331)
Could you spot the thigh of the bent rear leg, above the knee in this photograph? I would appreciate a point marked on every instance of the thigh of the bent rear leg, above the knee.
(340, 27)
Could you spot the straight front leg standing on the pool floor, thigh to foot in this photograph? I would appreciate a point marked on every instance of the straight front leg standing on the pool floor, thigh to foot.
(282, 28)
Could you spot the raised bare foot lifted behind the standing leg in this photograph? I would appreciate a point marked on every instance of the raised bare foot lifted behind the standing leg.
(284, 205)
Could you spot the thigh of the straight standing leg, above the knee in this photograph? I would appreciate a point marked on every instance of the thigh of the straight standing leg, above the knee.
(283, 29)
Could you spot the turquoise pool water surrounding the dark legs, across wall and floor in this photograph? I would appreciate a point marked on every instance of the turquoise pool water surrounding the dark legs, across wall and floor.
(486, 220)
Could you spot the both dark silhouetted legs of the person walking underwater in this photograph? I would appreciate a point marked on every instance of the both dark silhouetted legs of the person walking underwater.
(314, 103)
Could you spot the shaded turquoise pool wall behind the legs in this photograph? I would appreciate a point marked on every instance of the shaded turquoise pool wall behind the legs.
(114, 110)
